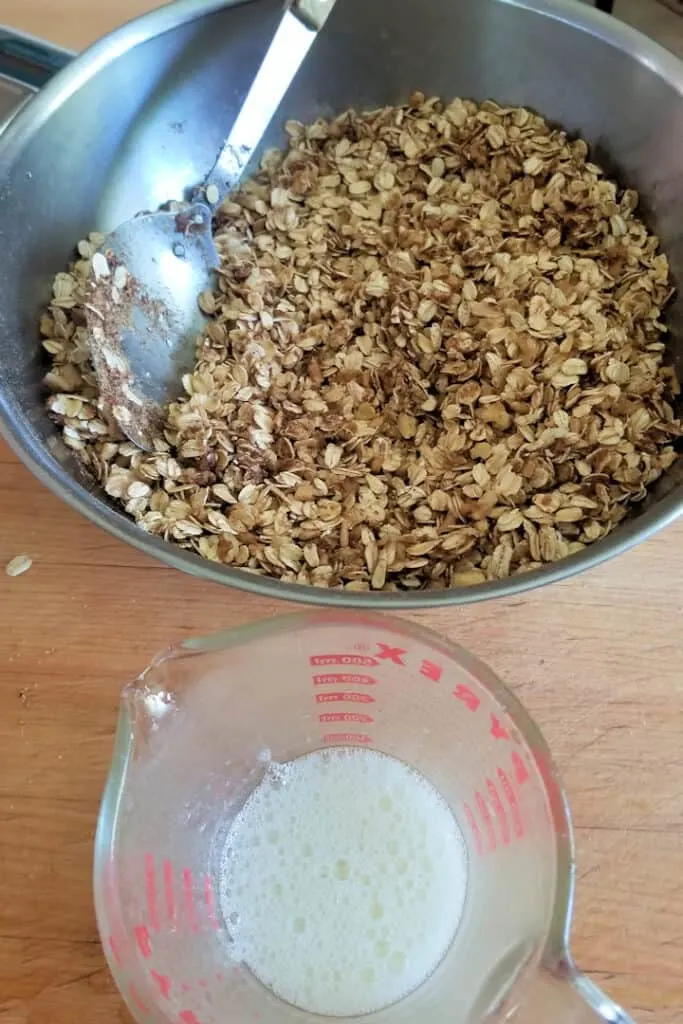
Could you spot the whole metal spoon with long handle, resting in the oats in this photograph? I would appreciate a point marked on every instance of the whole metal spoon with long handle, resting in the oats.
(142, 300)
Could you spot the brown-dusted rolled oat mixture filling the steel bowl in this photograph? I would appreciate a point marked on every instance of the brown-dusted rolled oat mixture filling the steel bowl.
(435, 357)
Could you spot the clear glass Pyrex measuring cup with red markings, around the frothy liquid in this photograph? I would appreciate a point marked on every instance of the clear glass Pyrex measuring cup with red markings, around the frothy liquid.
(196, 735)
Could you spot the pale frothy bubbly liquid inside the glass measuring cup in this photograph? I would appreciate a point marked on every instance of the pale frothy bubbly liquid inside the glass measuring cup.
(344, 881)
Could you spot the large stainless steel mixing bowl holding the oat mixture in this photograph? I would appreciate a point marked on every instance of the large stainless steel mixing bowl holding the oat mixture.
(127, 124)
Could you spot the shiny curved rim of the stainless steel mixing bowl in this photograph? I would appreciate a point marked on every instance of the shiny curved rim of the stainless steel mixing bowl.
(37, 456)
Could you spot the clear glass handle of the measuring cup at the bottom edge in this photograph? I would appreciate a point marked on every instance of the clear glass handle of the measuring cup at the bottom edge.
(563, 995)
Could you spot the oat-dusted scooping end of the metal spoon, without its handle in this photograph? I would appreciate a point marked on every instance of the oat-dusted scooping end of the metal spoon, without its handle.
(143, 314)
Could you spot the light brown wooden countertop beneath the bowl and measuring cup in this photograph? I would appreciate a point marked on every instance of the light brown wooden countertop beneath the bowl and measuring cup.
(597, 661)
